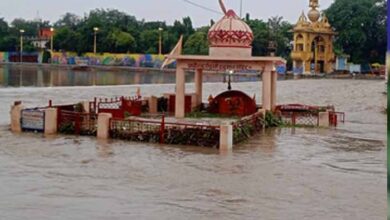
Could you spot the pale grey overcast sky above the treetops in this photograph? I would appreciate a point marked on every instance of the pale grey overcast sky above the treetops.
(152, 10)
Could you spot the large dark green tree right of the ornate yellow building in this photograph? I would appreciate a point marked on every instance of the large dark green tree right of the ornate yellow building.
(361, 27)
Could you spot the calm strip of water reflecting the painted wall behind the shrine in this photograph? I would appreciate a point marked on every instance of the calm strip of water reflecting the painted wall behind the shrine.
(44, 76)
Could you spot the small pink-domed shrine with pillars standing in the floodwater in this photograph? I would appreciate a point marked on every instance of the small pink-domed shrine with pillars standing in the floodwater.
(230, 50)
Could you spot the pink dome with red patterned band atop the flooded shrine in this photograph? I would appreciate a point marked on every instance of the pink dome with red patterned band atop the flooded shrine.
(230, 31)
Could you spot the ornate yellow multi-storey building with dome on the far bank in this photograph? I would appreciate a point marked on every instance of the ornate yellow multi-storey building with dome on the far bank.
(313, 43)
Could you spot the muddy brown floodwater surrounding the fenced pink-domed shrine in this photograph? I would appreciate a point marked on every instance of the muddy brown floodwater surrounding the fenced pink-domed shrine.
(280, 174)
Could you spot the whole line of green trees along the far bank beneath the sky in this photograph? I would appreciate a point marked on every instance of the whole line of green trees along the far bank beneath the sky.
(360, 24)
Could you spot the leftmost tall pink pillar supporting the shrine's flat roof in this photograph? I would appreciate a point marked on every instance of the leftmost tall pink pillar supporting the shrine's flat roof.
(180, 93)
